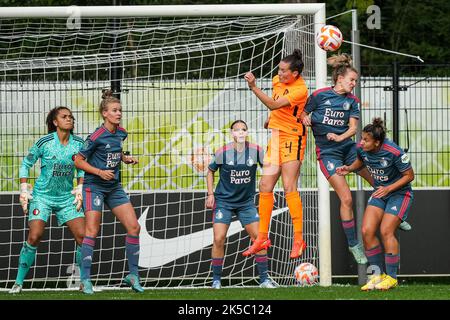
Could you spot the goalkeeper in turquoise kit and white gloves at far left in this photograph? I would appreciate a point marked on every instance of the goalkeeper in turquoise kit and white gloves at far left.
(54, 190)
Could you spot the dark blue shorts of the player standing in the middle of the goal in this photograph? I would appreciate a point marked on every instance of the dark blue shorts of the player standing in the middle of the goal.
(246, 214)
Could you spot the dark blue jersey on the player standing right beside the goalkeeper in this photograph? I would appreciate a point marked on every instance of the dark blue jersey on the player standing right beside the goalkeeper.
(103, 150)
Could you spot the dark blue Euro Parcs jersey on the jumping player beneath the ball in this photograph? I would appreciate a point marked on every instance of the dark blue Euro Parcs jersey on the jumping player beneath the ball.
(331, 112)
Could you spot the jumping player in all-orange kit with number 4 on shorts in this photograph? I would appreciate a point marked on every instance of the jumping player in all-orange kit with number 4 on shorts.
(285, 150)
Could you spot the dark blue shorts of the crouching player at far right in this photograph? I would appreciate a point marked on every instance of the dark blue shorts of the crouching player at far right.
(397, 203)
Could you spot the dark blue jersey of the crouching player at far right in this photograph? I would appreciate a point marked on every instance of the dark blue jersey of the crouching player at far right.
(386, 165)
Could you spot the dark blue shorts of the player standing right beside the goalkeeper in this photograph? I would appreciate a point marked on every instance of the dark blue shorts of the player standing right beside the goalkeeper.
(94, 196)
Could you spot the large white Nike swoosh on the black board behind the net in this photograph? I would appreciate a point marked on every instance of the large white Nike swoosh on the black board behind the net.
(157, 252)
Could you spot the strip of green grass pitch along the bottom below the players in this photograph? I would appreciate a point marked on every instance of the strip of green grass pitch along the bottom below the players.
(410, 291)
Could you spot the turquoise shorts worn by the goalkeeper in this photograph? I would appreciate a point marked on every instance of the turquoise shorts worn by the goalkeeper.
(41, 208)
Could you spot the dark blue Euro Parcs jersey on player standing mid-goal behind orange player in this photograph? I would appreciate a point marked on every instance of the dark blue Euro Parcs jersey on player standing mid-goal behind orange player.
(237, 182)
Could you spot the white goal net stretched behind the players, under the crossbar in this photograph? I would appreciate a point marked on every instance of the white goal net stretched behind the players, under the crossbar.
(180, 80)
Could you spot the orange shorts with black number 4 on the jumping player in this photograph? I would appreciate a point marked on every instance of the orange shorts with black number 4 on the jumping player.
(284, 147)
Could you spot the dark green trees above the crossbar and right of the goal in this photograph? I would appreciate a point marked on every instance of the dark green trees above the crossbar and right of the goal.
(417, 28)
